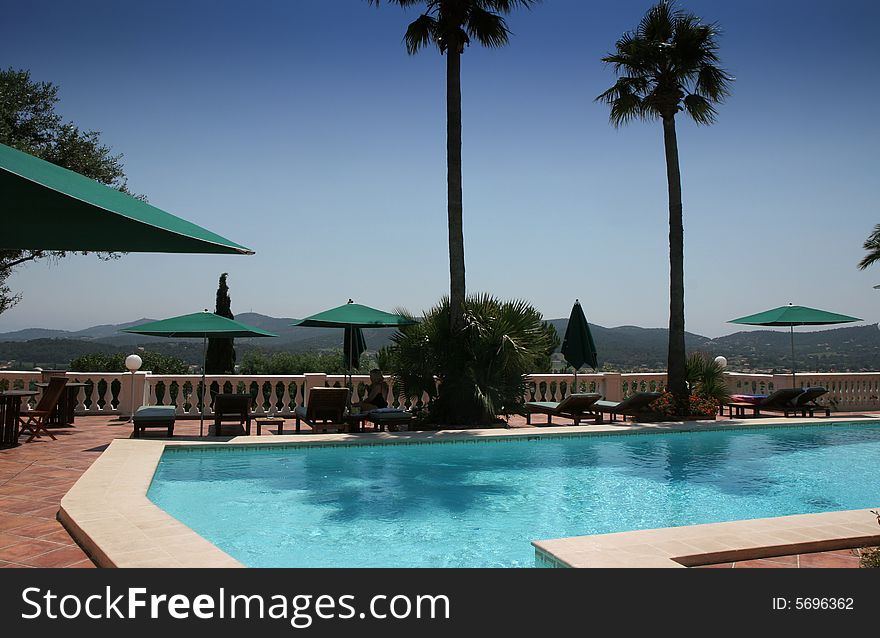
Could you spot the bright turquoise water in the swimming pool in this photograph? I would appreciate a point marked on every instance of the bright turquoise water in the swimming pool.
(479, 504)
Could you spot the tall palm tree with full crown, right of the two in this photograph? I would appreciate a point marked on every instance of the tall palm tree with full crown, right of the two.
(667, 65)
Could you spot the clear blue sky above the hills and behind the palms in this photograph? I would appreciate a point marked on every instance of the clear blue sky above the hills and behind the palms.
(304, 130)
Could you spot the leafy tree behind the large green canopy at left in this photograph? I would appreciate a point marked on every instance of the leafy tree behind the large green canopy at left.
(30, 123)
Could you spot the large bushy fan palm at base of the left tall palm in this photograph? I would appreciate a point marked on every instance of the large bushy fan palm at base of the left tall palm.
(485, 375)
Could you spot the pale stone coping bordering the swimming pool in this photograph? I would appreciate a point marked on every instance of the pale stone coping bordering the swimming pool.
(108, 513)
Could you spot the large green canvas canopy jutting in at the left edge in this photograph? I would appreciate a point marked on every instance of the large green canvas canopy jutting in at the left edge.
(46, 207)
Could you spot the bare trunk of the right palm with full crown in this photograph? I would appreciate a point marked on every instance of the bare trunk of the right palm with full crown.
(676, 357)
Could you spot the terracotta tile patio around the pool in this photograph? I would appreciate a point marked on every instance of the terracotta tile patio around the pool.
(34, 476)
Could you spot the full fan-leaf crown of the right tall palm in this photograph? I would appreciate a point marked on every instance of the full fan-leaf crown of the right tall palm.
(668, 64)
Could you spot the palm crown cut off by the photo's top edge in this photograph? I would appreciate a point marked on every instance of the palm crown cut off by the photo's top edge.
(457, 21)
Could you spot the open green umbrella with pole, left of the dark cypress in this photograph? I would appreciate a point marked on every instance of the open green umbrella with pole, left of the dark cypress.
(198, 325)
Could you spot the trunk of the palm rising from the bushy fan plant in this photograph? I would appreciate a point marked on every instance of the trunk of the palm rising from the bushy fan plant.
(453, 182)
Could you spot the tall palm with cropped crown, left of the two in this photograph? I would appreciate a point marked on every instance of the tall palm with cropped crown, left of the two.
(450, 25)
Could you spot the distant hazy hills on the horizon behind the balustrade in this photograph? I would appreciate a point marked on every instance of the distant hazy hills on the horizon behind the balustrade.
(621, 348)
